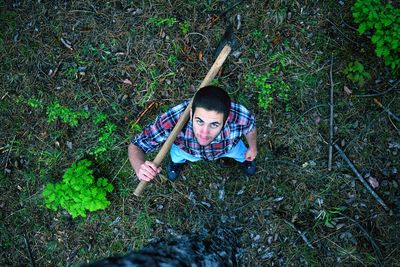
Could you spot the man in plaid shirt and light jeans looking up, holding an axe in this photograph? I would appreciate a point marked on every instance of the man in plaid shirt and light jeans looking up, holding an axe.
(213, 131)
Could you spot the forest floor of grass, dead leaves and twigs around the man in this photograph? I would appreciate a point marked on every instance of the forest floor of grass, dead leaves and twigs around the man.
(67, 64)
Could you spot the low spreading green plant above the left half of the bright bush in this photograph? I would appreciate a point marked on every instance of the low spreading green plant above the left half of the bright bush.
(56, 111)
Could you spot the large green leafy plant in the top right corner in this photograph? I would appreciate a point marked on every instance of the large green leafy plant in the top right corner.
(384, 23)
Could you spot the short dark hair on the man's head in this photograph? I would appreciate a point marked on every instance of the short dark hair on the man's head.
(212, 98)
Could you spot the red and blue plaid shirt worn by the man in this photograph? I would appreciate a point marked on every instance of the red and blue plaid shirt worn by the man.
(240, 122)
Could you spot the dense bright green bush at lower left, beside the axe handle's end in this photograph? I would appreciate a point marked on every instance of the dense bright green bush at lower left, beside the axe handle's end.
(78, 192)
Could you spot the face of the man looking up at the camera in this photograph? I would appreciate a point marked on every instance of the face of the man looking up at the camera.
(207, 124)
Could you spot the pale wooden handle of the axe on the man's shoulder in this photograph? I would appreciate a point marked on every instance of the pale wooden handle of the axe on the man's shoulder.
(184, 117)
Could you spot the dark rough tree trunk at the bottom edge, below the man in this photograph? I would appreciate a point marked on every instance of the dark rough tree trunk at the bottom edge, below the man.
(219, 248)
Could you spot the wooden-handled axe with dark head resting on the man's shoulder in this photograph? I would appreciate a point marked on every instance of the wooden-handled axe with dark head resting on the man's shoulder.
(224, 48)
